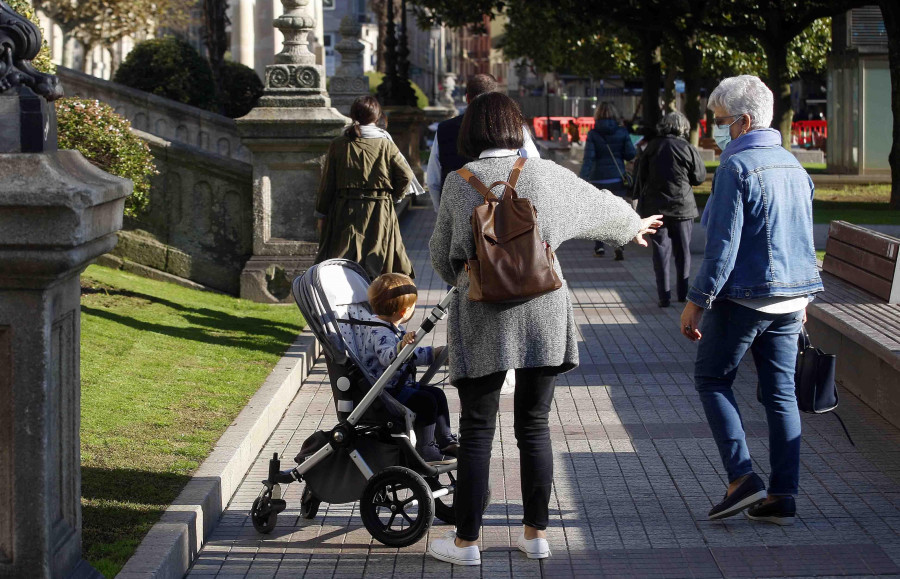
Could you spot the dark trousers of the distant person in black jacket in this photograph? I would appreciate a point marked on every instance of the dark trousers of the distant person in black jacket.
(674, 237)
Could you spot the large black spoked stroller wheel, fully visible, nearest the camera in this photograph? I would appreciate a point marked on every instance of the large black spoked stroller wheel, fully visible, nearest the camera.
(397, 507)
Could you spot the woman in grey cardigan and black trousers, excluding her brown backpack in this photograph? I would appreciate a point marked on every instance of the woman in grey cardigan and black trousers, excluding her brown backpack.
(537, 338)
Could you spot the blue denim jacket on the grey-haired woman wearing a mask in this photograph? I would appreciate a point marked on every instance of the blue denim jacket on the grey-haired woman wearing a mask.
(759, 228)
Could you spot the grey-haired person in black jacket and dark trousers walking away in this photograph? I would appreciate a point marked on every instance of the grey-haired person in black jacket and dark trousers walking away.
(664, 176)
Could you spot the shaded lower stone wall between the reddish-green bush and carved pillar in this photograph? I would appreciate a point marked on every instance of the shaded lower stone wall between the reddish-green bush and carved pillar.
(199, 224)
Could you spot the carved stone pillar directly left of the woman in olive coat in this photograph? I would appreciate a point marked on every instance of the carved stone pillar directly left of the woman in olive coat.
(288, 134)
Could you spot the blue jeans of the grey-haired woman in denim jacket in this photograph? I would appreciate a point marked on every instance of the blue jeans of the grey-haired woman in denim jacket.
(729, 330)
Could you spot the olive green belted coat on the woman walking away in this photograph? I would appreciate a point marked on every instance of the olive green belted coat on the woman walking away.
(362, 180)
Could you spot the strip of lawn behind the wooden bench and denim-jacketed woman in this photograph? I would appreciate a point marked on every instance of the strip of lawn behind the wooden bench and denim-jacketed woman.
(860, 204)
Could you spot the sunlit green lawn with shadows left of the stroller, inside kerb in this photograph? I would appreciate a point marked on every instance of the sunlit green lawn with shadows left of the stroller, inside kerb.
(164, 371)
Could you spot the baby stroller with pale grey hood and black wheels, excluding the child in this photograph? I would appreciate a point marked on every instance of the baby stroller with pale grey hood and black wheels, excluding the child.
(369, 455)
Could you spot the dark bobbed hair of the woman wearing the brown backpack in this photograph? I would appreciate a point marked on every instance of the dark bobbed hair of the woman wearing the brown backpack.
(492, 121)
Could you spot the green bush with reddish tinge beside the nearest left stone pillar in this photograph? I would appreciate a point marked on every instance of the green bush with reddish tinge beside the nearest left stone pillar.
(105, 139)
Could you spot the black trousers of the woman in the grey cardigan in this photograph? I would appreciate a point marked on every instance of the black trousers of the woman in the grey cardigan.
(480, 400)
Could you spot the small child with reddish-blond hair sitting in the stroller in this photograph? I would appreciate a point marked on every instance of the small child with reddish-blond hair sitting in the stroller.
(393, 297)
